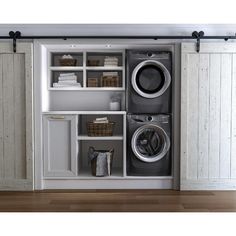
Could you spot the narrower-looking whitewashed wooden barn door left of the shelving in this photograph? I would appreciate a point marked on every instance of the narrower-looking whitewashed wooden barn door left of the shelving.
(16, 117)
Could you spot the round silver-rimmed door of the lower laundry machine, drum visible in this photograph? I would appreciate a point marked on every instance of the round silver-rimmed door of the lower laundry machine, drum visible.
(150, 143)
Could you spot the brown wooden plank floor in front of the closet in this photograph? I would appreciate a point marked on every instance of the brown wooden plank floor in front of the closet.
(118, 201)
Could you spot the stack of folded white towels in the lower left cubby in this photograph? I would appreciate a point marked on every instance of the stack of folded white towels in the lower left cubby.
(67, 80)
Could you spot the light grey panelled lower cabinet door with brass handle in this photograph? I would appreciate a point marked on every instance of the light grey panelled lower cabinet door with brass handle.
(60, 149)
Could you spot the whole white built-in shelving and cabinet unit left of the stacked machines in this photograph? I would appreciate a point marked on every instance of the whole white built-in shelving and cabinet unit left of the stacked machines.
(61, 138)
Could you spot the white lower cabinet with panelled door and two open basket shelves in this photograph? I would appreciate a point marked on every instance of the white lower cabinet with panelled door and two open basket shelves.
(66, 144)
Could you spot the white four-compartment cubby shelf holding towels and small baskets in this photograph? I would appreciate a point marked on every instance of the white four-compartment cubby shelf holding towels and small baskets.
(86, 65)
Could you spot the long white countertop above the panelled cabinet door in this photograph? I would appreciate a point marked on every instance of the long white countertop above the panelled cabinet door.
(84, 112)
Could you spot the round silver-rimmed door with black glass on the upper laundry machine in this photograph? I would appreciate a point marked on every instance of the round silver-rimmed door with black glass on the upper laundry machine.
(150, 79)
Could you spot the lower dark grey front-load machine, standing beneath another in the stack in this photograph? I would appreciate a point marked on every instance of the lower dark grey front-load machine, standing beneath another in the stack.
(148, 145)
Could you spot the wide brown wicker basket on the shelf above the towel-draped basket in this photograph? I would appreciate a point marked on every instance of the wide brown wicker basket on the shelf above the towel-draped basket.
(100, 129)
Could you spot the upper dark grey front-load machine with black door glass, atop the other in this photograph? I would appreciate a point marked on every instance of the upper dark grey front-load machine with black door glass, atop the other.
(149, 75)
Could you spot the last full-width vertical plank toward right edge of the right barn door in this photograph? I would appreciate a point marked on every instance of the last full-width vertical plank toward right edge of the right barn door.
(225, 125)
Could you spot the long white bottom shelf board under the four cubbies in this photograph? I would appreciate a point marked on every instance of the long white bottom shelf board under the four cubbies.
(87, 89)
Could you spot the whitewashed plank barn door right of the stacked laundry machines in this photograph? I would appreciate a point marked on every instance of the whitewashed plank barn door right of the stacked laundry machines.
(208, 117)
